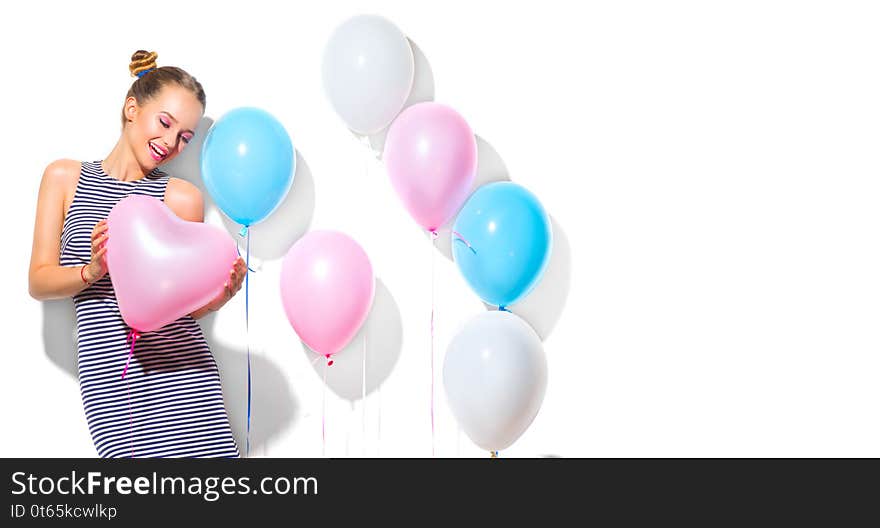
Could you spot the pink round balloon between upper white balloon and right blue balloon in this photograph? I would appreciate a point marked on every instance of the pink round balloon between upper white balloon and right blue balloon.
(431, 157)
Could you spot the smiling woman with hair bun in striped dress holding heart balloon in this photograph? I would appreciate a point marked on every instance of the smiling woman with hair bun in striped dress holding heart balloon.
(170, 403)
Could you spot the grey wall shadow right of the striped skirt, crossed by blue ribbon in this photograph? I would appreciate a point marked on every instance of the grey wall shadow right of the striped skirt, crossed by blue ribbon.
(273, 406)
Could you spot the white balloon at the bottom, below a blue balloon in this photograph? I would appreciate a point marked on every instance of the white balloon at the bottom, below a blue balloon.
(495, 376)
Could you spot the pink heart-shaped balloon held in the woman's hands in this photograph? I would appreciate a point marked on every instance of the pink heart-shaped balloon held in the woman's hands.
(163, 267)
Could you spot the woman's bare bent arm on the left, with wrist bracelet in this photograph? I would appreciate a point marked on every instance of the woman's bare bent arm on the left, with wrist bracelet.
(47, 279)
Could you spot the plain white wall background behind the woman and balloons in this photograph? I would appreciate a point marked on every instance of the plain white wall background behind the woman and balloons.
(712, 168)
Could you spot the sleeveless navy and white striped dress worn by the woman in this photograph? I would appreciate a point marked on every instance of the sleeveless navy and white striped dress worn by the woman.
(170, 403)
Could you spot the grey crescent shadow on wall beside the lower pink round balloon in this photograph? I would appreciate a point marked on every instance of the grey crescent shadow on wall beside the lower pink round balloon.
(384, 335)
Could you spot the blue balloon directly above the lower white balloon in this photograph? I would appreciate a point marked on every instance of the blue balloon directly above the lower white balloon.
(509, 239)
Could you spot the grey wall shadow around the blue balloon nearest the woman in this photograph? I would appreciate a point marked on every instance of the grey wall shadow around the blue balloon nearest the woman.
(271, 238)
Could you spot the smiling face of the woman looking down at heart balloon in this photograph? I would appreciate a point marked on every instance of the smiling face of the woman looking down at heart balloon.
(159, 129)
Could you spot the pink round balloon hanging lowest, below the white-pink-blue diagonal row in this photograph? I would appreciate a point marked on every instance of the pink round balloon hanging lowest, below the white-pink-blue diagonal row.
(327, 289)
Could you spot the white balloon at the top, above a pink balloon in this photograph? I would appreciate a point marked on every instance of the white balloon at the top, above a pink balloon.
(368, 72)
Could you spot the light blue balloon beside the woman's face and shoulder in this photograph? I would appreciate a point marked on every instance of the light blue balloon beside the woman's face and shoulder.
(247, 164)
